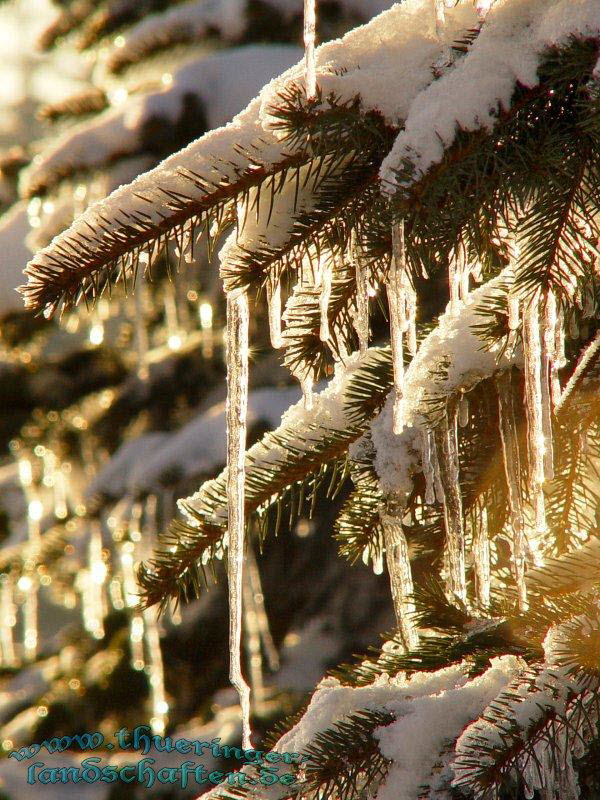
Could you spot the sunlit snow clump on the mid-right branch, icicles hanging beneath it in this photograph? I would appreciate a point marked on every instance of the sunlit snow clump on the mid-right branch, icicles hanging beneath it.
(452, 357)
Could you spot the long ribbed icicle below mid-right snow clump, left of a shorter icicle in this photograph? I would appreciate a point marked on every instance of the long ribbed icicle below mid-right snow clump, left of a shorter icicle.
(447, 456)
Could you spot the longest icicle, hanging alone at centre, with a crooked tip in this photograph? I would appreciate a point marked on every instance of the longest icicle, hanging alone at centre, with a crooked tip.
(237, 404)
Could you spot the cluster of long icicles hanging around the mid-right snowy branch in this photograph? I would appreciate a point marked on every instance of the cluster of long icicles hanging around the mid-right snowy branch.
(541, 327)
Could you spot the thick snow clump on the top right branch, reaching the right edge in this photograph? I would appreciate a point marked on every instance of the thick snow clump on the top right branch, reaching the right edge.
(507, 52)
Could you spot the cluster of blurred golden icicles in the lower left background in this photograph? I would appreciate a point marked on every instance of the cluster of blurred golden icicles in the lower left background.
(97, 582)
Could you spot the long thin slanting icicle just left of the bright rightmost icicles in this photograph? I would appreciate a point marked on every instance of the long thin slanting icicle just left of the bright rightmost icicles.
(512, 469)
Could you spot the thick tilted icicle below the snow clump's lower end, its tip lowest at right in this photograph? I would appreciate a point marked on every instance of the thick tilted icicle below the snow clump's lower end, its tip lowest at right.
(398, 564)
